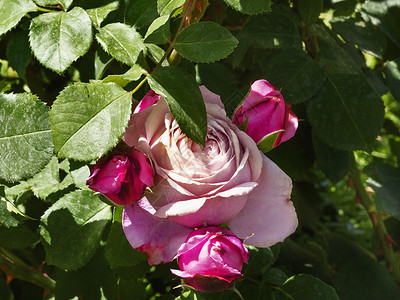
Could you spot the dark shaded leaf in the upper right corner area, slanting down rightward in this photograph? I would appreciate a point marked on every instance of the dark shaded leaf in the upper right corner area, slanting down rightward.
(367, 37)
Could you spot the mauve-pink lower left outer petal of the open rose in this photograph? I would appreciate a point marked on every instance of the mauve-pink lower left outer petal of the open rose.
(160, 239)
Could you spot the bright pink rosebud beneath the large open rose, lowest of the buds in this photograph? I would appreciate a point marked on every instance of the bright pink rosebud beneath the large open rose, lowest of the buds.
(211, 259)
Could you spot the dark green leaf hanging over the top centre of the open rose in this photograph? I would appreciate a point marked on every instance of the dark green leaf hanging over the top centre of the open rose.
(184, 99)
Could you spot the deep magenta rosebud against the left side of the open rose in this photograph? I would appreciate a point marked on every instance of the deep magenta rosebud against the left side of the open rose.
(122, 176)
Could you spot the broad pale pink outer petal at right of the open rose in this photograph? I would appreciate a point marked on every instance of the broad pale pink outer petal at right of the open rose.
(268, 216)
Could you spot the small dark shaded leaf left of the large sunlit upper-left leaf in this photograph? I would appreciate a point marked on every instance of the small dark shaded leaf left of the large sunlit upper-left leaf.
(19, 53)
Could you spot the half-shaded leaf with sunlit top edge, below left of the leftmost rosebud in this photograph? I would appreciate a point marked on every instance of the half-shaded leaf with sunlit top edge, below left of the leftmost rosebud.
(71, 229)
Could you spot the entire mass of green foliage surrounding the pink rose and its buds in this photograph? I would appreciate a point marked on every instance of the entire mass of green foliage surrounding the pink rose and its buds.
(66, 100)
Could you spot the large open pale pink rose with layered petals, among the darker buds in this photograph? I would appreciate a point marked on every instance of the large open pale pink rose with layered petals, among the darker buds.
(227, 181)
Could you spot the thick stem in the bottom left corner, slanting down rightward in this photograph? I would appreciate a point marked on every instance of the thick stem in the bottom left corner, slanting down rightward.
(15, 267)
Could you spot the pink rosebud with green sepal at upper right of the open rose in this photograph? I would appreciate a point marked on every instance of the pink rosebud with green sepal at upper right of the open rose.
(265, 116)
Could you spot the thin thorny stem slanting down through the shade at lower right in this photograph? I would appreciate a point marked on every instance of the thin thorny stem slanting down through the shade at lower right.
(376, 218)
